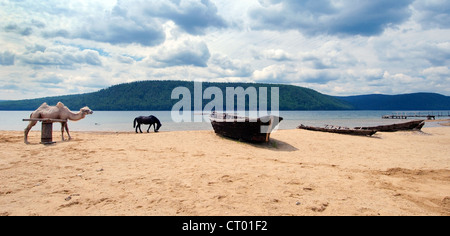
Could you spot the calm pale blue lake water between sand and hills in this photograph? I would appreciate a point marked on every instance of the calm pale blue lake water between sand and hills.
(122, 121)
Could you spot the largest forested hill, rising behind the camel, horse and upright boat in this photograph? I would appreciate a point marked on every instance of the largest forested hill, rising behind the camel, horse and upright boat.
(156, 96)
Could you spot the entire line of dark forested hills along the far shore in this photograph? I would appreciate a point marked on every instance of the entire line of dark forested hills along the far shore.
(156, 95)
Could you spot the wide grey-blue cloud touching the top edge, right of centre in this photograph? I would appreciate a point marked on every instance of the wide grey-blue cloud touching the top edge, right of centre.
(314, 17)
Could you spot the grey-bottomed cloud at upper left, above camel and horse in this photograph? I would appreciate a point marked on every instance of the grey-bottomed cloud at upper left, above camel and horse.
(116, 26)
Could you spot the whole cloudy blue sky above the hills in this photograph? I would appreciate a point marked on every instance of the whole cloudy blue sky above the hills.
(337, 47)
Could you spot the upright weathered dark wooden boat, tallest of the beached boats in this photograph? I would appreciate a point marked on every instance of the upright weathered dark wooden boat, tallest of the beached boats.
(244, 128)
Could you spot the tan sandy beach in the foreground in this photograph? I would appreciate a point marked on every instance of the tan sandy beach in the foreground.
(199, 173)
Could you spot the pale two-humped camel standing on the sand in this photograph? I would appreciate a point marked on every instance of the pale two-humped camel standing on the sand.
(60, 112)
